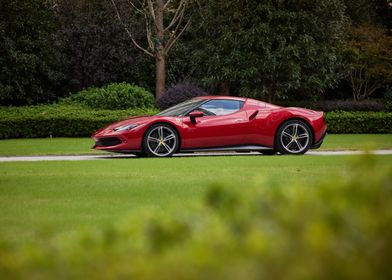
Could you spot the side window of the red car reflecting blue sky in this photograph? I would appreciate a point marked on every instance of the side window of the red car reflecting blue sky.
(220, 107)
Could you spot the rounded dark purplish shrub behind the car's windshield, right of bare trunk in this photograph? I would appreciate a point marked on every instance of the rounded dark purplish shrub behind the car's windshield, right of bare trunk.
(178, 94)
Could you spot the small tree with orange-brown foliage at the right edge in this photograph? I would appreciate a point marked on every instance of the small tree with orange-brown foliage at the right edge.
(369, 53)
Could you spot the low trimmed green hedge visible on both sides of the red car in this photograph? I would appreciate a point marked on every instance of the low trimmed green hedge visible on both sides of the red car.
(74, 121)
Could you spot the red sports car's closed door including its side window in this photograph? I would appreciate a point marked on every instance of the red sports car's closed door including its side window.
(224, 124)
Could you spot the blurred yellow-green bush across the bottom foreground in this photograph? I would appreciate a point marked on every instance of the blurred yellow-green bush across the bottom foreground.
(340, 229)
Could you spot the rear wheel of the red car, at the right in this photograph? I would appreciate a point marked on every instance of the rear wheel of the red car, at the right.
(293, 137)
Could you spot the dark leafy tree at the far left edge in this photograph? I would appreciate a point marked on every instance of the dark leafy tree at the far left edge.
(29, 69)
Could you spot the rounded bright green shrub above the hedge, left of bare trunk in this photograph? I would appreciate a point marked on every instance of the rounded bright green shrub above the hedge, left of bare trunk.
(113, 96)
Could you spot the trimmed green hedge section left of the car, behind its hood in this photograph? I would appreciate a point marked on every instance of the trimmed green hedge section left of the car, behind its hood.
(58, 120)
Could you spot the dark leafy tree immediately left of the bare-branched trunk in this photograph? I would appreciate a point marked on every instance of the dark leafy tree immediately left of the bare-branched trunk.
(93, 47)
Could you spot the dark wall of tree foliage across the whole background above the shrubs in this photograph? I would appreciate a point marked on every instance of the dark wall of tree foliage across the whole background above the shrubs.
(268, 48)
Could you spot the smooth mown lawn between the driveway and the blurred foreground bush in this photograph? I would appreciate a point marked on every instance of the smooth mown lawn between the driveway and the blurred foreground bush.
(41, 200)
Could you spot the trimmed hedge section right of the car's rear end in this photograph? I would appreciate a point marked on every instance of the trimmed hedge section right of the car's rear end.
(359, 122)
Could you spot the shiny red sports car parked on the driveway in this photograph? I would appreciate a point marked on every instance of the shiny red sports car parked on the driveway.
(216, 123)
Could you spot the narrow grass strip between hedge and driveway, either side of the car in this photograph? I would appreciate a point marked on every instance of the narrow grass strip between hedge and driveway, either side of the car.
(69, 146)
